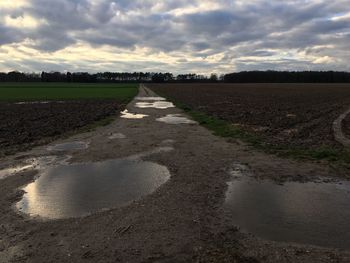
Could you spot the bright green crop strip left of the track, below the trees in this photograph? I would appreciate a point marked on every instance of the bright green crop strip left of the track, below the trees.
(65, 91)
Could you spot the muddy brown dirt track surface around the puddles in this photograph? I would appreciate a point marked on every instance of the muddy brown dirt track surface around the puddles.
(183, 221)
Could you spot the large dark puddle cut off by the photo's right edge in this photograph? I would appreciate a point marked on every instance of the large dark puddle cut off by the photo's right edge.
(307, 213)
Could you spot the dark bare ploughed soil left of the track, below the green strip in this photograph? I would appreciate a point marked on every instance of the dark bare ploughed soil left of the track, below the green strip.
(25, 125)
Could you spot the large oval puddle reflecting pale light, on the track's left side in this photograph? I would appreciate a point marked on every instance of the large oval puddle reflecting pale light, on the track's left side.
(74, 190)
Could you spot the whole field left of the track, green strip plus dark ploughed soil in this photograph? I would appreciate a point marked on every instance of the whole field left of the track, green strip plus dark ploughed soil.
(33, 113)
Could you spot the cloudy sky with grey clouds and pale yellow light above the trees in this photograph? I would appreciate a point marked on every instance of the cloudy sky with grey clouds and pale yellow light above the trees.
(180, 36)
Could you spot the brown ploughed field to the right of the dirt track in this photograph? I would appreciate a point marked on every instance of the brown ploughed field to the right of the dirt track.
(293, 118)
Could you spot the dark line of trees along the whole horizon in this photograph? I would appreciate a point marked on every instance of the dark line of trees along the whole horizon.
(239, 77)
